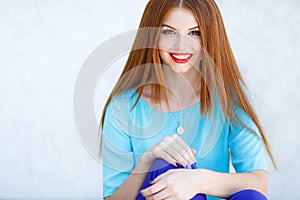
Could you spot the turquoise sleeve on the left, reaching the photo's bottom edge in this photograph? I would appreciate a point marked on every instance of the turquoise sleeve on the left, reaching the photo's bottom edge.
(117, 152)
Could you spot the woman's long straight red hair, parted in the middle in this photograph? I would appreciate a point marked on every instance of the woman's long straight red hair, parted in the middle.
(218, 63)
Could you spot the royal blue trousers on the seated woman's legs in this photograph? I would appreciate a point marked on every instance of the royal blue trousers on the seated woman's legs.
(160, 166)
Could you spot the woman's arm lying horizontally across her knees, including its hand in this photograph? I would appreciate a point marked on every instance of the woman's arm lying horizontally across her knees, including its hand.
(184, 184)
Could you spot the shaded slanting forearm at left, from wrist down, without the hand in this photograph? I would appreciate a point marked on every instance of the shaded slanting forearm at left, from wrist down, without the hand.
(131, 187)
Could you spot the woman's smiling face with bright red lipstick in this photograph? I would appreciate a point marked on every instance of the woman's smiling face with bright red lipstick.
(179, 40)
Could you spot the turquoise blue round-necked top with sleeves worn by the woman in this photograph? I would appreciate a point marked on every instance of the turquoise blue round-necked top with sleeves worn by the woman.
(128, 133)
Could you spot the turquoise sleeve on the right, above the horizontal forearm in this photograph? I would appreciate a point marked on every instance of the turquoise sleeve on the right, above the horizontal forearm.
(248, 153)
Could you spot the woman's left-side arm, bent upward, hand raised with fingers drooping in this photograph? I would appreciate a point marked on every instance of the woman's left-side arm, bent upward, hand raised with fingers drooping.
(171, 149)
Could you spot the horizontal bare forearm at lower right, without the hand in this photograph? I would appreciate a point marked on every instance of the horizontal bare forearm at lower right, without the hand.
(225, 184)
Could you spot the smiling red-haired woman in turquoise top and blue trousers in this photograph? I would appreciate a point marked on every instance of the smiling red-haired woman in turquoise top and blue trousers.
(180, 113)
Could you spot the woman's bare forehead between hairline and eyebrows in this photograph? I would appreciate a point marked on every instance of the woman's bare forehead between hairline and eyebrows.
(180, 18)
